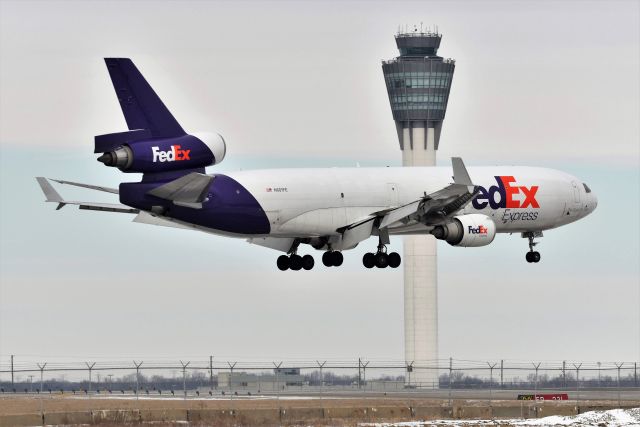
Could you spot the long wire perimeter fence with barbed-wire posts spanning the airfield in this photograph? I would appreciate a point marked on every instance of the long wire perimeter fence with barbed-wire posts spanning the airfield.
(214, 377)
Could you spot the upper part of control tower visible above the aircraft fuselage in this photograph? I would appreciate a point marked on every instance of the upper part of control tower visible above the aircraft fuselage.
(418, 83)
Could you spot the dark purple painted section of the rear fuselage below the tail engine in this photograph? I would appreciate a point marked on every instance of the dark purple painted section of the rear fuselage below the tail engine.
(230, 207)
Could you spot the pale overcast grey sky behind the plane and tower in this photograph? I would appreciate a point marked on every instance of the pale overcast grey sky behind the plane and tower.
(300, 85)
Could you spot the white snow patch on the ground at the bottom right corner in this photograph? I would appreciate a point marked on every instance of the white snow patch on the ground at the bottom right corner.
(612, 418)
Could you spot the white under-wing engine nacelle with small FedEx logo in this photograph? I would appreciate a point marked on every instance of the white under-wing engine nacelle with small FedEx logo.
(467, 231)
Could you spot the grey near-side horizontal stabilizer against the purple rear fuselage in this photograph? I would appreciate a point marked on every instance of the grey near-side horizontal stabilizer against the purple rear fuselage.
(189, 190)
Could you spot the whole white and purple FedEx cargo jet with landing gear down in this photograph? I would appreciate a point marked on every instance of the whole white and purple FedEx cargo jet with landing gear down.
(331, 209)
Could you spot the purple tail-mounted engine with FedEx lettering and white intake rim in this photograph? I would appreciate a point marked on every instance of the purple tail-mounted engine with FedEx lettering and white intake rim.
(167, 154)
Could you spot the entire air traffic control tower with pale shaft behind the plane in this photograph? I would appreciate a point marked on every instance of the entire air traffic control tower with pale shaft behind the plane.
(418, 83)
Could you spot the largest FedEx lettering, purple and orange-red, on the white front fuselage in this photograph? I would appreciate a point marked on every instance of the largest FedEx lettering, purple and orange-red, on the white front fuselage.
(510, 196)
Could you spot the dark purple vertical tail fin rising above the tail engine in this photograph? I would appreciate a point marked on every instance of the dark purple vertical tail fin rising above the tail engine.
(141, 106)
